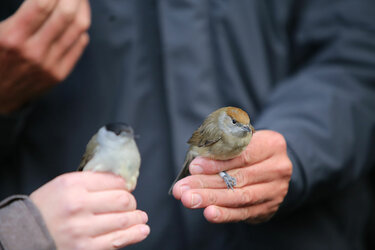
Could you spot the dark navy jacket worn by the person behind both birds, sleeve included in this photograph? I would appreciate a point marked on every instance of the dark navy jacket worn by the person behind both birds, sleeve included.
(303, 68)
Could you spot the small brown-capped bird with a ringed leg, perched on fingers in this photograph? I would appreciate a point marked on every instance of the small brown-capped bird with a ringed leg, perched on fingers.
(223, 135)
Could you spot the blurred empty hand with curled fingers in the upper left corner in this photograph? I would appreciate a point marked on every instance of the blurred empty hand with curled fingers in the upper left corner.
(39, 45)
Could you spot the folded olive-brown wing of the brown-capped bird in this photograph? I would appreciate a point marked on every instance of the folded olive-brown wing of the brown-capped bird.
(205, 136)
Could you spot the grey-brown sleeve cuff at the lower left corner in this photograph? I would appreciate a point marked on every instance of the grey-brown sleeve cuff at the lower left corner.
(22, 226)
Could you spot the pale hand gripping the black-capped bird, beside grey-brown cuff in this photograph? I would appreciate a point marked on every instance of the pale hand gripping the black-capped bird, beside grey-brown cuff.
(90, 210)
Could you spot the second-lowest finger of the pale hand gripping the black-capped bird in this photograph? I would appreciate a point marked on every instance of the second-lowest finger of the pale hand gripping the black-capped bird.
(106, 223)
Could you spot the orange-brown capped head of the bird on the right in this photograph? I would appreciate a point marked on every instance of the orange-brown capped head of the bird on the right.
(235, 121)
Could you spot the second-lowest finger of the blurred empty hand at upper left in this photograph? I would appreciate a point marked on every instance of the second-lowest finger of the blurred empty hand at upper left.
(66, 41)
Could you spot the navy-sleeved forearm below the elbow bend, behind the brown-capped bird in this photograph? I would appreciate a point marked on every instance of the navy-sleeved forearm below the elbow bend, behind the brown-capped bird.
(326, 113)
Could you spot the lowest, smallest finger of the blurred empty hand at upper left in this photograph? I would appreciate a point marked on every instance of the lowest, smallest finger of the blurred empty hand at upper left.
(70, 59)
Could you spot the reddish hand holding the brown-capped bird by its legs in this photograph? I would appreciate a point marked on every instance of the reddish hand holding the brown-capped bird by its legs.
(262, 171)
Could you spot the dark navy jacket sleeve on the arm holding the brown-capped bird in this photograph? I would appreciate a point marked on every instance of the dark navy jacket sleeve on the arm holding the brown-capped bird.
(326, 108)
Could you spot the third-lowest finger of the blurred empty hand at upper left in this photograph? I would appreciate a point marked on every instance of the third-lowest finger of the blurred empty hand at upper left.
(62, 17)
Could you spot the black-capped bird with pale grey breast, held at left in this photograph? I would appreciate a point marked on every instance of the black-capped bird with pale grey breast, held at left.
(113, 149)
